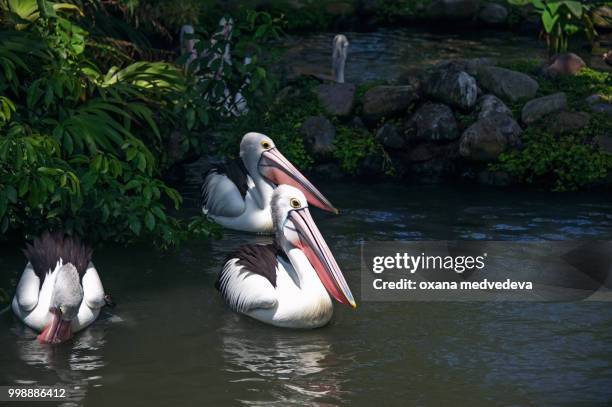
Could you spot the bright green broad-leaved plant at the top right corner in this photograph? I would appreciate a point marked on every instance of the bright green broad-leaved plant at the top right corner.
(561, 19)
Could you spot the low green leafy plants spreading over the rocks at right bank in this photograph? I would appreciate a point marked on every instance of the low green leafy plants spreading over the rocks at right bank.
(565, 163)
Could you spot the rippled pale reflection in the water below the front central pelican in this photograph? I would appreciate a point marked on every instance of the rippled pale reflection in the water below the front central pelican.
(302, 363)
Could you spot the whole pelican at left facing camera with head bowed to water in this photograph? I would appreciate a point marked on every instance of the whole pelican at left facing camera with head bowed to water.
(59, 292)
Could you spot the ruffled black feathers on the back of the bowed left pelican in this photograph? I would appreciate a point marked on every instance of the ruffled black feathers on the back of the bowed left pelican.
(45, 251)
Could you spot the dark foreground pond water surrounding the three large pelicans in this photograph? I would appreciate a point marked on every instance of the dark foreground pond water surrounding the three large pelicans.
(171, 341)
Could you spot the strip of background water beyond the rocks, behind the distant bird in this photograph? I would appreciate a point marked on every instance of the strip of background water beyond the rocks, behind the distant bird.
(388, 54)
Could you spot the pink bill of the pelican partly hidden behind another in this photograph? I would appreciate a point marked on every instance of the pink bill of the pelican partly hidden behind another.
(276, 168)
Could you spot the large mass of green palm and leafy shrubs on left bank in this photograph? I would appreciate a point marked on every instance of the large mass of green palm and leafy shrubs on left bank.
(80, 148)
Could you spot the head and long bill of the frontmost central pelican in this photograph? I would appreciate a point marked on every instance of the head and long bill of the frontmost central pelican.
(295, 228)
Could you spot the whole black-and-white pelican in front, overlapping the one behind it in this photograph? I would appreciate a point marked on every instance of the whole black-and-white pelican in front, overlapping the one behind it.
(286, 284)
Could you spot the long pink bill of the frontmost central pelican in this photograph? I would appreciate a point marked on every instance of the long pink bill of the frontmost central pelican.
(316, 250)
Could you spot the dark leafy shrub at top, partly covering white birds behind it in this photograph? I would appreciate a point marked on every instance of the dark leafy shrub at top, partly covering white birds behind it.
(228, 64)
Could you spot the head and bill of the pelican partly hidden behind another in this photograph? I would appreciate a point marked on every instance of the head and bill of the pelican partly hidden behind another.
(260, 155)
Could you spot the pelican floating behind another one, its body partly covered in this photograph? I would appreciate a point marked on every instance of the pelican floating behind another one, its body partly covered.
(237, 195)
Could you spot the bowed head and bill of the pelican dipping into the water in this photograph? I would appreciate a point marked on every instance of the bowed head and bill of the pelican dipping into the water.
(66, 299)
